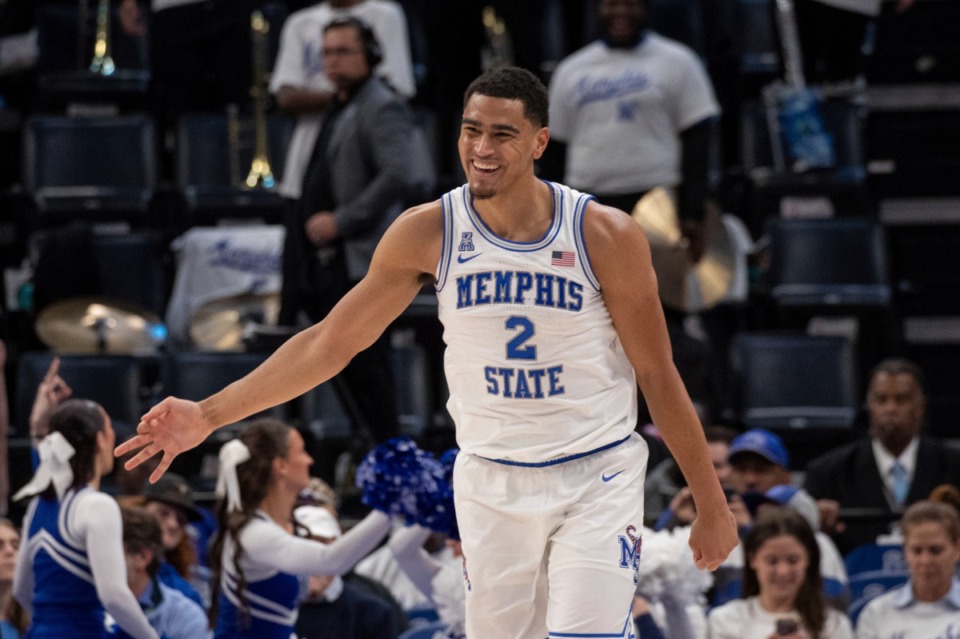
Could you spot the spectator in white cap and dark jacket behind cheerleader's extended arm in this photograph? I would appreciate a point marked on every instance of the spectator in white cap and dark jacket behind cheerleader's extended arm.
(336, 607)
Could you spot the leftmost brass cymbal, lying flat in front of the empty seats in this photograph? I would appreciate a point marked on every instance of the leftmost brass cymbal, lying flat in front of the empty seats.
(99, 325)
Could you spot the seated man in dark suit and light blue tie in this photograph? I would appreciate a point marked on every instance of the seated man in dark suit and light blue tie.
(895, 467)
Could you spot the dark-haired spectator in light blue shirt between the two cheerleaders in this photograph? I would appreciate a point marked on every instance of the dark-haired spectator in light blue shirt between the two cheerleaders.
(169, 611)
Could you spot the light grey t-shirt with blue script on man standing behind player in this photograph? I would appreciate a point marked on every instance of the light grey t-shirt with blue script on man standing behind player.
(621, 111)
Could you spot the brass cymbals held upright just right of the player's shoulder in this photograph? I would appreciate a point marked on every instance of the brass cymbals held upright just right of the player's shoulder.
(682, 284)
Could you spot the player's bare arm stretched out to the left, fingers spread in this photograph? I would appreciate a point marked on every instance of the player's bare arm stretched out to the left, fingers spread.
(404, 261)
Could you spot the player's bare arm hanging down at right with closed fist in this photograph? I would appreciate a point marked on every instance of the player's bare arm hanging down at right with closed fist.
(620, 256)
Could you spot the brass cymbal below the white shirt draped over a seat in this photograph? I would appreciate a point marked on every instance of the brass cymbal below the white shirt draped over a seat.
(221, 325)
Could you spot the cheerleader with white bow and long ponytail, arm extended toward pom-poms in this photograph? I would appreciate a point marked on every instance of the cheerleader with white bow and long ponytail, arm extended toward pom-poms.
(257, 559)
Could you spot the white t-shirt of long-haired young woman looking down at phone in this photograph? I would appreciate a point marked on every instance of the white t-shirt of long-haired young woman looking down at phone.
(746, 619)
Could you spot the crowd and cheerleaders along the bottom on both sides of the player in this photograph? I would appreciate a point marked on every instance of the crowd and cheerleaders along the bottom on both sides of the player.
(272, 557)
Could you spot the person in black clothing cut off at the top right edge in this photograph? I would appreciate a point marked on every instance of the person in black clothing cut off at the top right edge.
(832, 37)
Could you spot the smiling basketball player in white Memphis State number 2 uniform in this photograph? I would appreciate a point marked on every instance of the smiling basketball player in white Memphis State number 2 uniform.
(551, 318)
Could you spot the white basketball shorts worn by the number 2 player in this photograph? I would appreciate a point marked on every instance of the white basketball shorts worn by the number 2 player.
(551, 551)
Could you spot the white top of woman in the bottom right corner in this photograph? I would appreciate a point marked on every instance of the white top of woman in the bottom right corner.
(897, 615)
